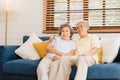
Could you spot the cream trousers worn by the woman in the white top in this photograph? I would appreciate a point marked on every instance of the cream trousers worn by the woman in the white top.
(47, 69)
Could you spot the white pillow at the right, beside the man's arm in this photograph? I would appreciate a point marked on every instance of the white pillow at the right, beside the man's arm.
(110, 49)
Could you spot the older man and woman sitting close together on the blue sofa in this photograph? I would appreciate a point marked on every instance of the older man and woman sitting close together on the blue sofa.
(63, 53)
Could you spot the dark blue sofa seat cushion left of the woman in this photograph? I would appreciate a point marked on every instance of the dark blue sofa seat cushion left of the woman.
(21, 66)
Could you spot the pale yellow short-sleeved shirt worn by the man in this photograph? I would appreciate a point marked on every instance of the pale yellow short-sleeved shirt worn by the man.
(84, 45)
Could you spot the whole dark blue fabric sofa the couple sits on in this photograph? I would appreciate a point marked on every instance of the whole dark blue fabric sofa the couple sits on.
(12, 67)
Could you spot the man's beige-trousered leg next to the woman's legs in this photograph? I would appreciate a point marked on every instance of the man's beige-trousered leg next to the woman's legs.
(64, 69)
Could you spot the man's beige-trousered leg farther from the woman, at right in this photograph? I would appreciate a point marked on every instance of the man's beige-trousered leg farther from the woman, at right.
(83, 63)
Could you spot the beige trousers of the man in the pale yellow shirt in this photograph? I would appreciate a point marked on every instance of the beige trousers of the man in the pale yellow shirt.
(81, 62)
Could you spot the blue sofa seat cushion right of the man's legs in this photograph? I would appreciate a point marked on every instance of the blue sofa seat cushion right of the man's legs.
(104, 71)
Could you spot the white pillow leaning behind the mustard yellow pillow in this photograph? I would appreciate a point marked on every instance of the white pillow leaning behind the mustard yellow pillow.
(26, 50)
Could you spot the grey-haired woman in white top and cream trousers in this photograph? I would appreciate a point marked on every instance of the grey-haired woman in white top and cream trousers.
(62, 45)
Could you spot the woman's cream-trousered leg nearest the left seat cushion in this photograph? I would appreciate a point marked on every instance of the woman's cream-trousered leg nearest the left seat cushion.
(43, 69)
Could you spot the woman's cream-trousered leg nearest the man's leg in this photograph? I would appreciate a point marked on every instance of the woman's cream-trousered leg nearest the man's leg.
(53, 70)
